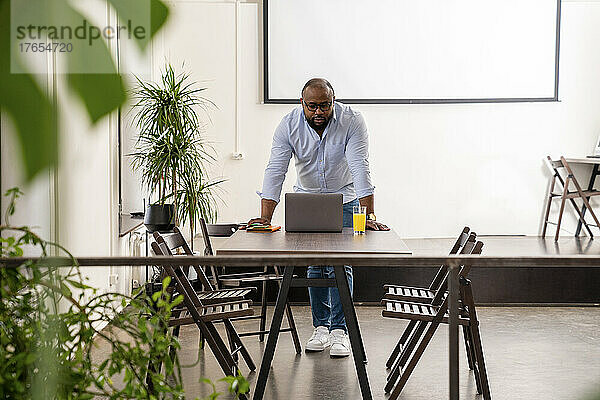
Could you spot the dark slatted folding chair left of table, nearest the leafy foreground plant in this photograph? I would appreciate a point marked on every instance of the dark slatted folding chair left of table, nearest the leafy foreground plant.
(205, 315)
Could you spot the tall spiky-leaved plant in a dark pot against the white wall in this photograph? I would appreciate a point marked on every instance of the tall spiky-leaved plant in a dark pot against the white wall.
(171, 153)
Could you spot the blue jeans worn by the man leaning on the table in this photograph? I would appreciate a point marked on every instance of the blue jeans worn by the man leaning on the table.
(325, 302)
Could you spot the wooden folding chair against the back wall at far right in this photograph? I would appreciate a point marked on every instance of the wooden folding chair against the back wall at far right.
(556, 168)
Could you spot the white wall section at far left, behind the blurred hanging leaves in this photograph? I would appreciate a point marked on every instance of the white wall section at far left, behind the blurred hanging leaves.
(88, 184)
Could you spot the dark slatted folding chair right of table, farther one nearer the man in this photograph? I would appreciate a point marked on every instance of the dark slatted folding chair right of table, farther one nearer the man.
(424, 295)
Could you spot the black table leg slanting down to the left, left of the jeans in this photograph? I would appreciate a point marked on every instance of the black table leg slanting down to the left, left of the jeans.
(265, 365)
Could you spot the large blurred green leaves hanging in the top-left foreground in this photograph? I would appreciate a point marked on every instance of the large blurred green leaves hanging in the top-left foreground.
(32, 110)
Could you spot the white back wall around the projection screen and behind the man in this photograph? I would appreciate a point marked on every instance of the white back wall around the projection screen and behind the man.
(436, 167)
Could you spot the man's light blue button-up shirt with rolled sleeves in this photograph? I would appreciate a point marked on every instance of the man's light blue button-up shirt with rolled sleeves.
(336, 162)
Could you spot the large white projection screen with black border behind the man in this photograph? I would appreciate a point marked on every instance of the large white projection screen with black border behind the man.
(413, 51)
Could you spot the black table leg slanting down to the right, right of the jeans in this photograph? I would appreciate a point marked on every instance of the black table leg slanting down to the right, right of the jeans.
(353, 332)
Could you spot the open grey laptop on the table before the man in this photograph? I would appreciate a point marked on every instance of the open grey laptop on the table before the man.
(312, 212)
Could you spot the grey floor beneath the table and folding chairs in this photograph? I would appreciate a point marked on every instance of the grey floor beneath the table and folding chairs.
(531, 353)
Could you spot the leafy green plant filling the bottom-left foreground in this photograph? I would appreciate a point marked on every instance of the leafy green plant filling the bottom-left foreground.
(49, 322)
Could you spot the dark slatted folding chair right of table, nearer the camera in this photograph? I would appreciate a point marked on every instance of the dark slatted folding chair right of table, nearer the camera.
(432, 315)
